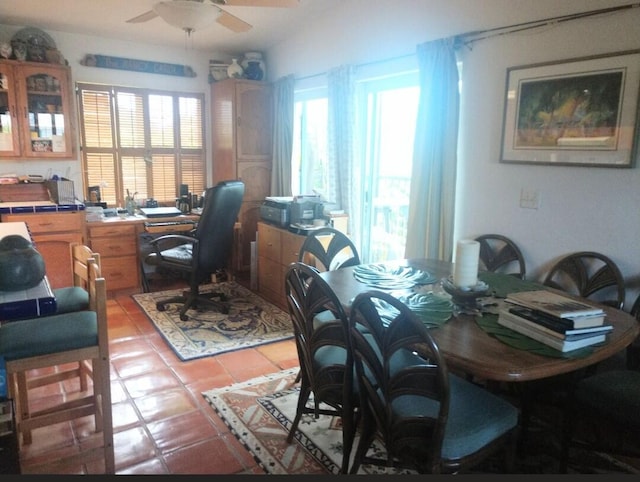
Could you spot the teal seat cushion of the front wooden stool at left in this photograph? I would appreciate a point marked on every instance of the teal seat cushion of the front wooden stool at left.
(49, 334)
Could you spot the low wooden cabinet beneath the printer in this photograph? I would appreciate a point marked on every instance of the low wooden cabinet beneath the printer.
(277, 249)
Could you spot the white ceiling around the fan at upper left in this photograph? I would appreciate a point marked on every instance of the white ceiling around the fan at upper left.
(107, 18)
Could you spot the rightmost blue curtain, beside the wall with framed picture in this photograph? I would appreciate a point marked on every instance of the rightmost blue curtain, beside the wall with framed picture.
(432, 198)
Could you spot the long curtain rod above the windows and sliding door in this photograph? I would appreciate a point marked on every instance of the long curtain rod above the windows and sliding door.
(468, 38)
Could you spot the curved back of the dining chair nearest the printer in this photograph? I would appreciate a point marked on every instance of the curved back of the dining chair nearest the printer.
(328, 249)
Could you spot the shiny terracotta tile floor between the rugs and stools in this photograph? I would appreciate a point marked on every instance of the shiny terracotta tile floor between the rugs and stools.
(162, 424)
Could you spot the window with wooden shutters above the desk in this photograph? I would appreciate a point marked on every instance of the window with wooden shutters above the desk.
(141, 141)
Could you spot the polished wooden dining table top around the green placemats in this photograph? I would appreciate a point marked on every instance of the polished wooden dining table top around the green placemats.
(468, 348)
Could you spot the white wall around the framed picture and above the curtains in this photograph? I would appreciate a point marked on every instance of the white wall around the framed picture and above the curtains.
(581, 208)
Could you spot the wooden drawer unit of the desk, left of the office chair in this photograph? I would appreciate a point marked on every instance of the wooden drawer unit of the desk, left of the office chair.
(117, 245)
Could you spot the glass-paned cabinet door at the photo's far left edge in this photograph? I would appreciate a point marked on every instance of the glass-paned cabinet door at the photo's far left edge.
(9, 133)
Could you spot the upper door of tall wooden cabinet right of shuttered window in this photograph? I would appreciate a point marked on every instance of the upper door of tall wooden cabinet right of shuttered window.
(253, 130)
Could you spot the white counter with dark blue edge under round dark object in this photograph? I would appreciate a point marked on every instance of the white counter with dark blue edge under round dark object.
(29, 303)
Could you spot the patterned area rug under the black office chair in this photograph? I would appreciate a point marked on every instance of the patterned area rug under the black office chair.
(251, 321)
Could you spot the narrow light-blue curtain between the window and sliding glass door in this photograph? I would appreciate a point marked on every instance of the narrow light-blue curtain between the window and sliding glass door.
(343, 181)
